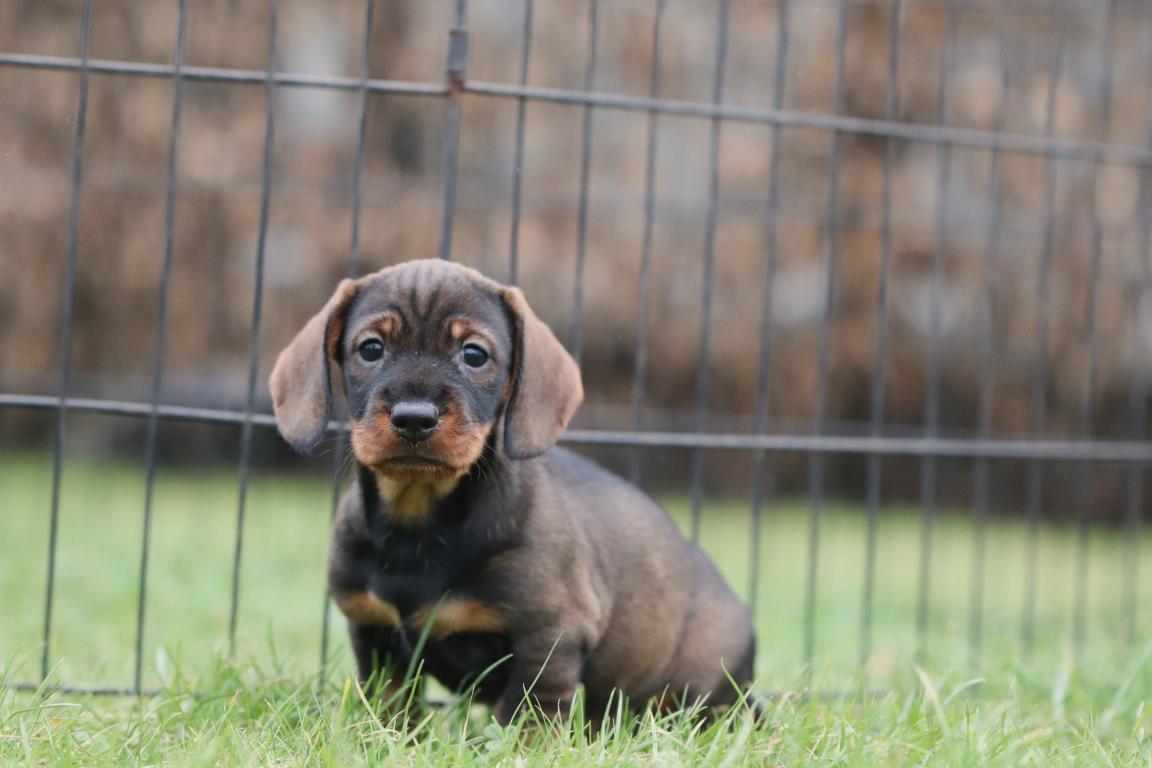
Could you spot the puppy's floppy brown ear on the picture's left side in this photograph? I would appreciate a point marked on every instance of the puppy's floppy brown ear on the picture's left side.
(301, 382)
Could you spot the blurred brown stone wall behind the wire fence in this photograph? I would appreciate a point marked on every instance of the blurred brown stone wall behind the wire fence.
(122, 226)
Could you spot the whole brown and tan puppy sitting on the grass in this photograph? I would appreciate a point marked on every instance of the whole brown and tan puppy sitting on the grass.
(466, 515)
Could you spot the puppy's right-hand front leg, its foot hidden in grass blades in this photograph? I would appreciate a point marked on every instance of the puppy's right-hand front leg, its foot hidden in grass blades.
(545, 674)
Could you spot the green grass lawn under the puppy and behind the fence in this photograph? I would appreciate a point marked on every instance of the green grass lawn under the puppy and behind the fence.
(262, 705)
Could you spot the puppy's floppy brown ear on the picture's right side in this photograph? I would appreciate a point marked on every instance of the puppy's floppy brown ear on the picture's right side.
(545, 384)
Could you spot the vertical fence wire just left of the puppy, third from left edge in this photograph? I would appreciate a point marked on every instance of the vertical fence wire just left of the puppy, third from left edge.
(254, 361)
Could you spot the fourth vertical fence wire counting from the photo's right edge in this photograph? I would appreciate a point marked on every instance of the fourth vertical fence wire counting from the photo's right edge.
(982, 475)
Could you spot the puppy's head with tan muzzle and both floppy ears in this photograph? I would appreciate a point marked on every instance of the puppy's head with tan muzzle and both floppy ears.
(431, 356)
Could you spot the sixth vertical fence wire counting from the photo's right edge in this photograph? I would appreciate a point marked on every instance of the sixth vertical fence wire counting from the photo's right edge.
(881, 348)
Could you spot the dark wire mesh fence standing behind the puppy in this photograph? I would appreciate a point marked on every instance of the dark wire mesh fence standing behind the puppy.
(929, 445)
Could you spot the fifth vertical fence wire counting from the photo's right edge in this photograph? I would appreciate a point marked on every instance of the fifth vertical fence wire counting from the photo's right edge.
(929, 467)
